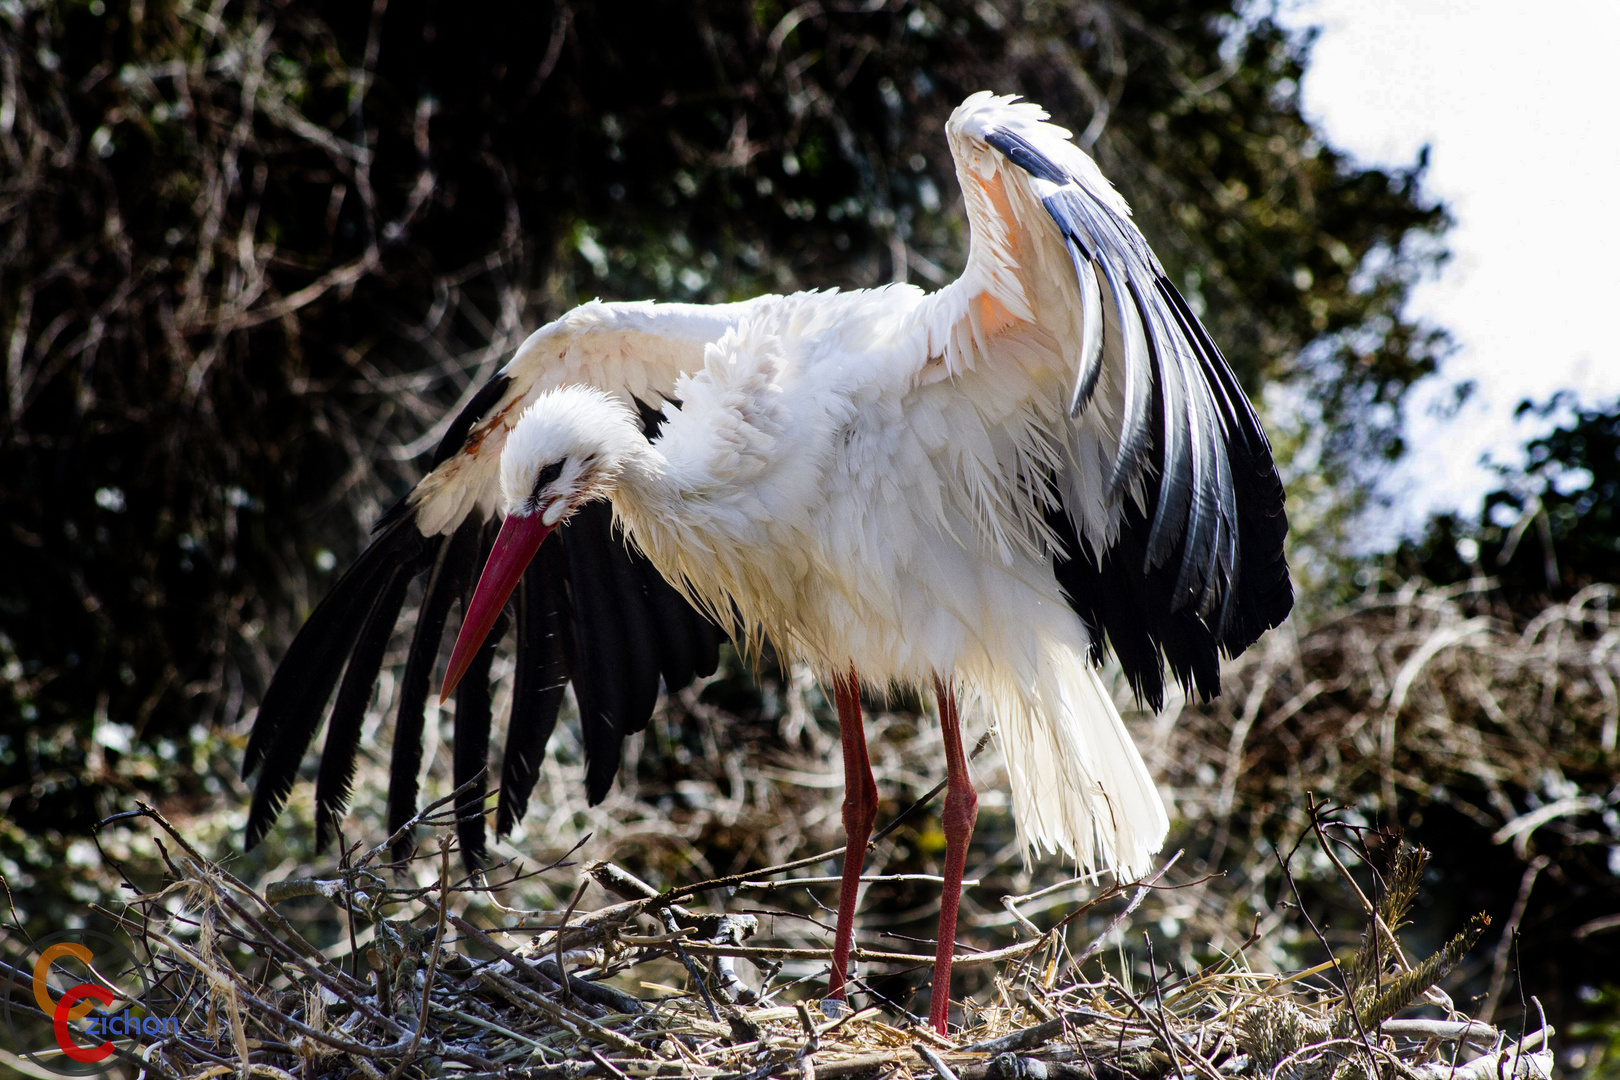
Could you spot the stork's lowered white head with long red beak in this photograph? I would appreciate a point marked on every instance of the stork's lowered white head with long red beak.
(568, 449)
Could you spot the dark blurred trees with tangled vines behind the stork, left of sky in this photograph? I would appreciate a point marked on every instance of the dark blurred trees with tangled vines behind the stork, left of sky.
(252, 253)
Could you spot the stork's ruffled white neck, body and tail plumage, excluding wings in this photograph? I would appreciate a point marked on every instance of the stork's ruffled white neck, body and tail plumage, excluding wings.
(827, 506)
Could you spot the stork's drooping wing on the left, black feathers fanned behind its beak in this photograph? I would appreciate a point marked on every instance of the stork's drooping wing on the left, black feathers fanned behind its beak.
(590, 611)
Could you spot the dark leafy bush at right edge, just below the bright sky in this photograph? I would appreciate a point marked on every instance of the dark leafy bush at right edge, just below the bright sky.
(1553, 527)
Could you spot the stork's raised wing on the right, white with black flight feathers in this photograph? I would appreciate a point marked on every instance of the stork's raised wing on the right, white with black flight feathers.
(1166, 506)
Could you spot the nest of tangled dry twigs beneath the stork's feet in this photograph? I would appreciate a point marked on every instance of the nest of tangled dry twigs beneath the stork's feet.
(441, 979)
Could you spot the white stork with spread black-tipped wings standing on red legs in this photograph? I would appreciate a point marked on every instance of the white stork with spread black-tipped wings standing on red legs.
(970, 490)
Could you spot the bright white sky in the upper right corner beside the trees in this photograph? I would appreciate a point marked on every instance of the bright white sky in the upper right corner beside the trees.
(1519, 103)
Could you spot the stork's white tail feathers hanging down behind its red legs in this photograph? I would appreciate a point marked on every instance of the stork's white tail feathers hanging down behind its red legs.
(1078, 783)
